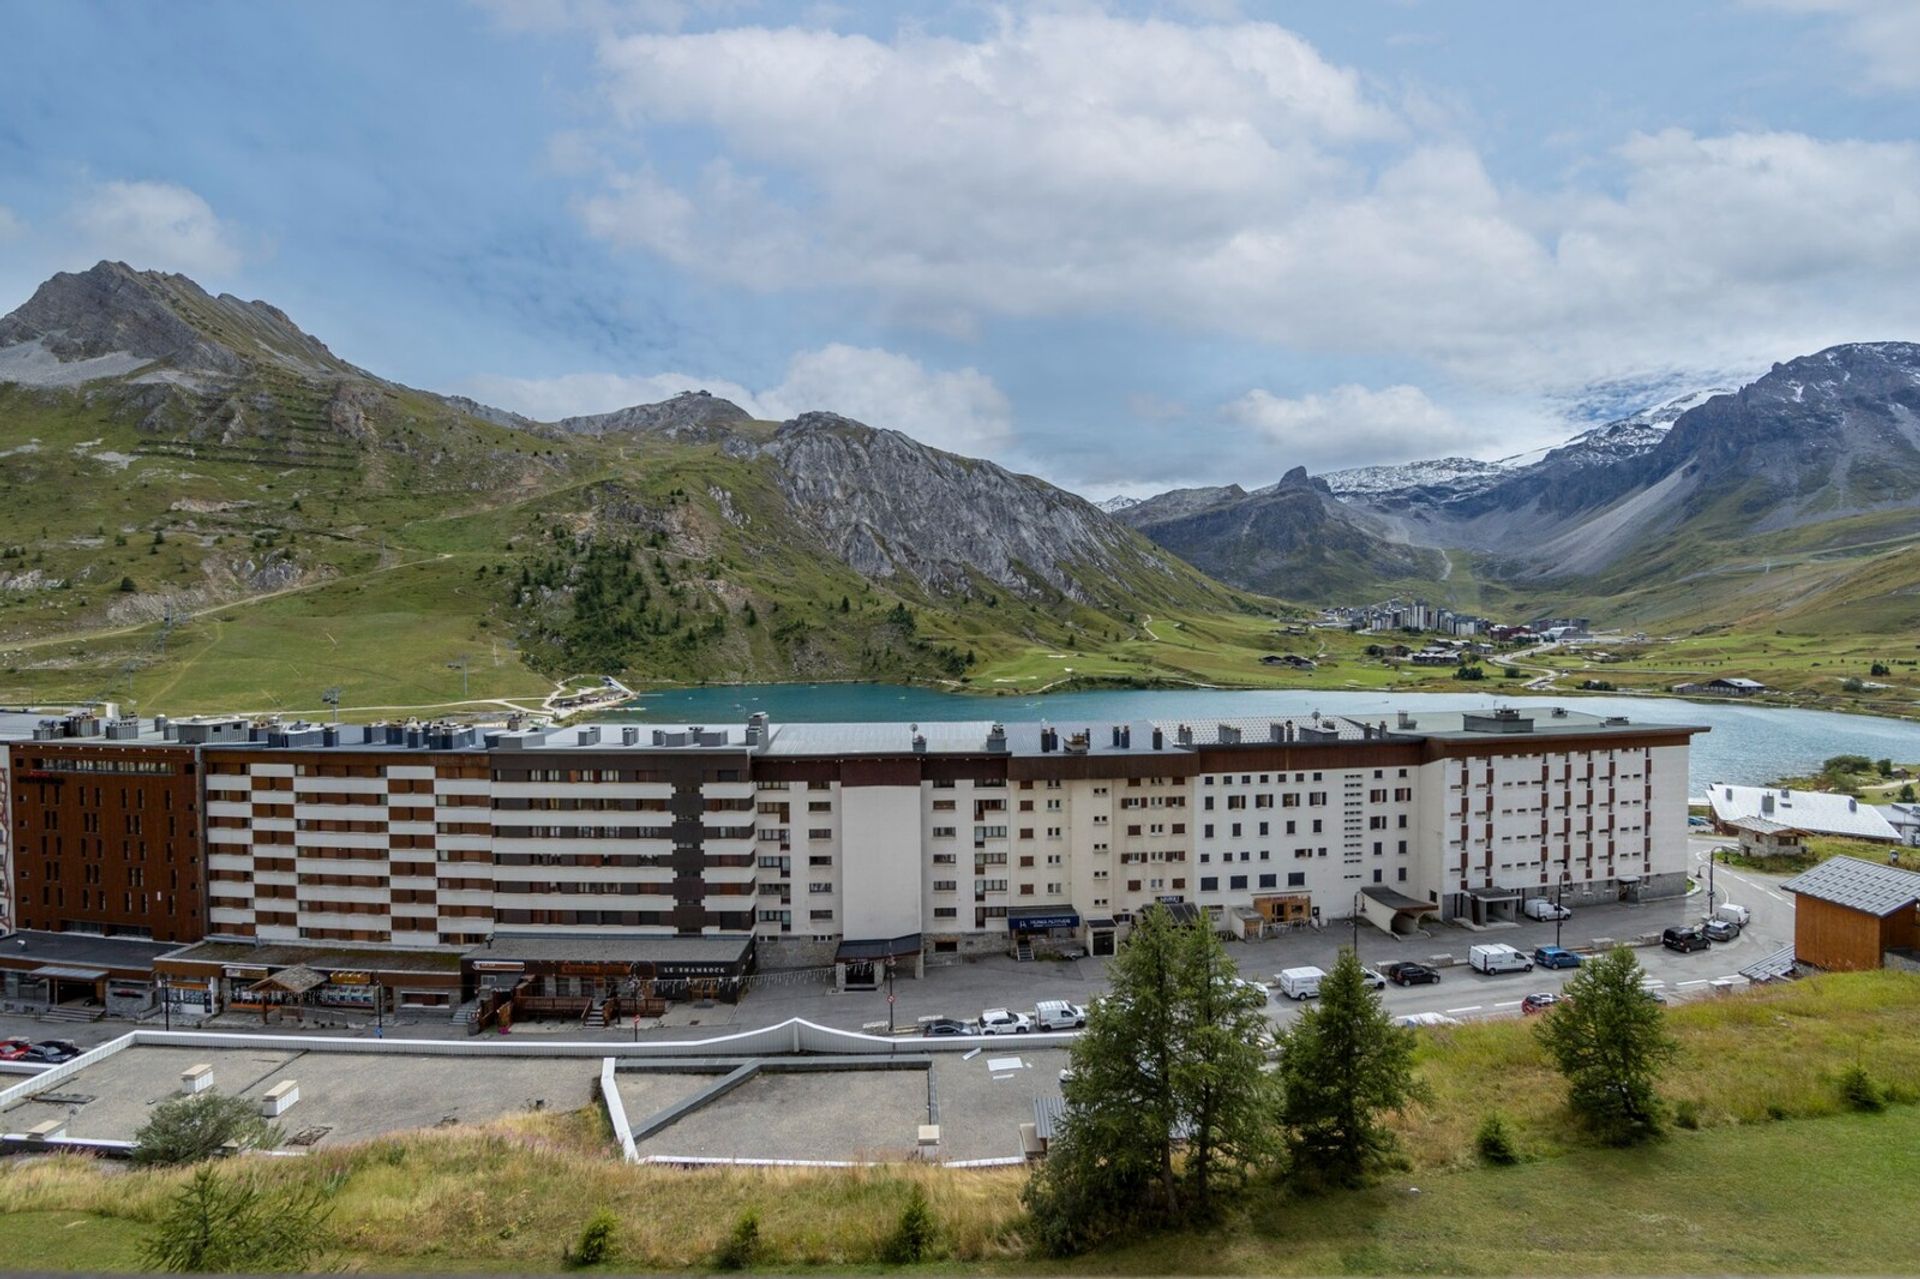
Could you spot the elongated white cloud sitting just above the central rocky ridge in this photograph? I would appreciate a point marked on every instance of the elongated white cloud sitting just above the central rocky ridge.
(955, 410)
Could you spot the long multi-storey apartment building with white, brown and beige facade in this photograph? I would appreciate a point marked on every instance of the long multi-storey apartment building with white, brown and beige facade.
(825, 842)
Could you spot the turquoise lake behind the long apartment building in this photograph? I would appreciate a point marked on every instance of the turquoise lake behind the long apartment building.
(1748, 744)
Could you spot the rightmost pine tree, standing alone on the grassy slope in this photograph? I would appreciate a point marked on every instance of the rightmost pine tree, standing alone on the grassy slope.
(1612, 1042)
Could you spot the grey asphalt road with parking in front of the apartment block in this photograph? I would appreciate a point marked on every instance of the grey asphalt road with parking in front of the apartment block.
(994, 982)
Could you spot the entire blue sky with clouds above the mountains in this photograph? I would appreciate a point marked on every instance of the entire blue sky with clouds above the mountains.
(1124, 247)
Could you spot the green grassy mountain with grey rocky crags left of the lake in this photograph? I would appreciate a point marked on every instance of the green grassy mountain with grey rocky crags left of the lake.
(233, 518)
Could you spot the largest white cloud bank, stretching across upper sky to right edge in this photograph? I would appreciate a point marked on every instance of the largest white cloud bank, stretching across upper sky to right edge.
(1232, 180)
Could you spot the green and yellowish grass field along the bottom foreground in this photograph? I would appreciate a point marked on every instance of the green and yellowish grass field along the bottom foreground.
(1777, 1178)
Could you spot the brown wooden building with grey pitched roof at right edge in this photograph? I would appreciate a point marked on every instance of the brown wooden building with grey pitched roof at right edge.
(1850, 915)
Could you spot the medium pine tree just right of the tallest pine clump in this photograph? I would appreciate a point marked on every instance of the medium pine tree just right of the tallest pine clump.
(1343, 1069)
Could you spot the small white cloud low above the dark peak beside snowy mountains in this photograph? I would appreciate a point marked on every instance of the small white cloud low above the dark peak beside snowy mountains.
(1353, 425)
